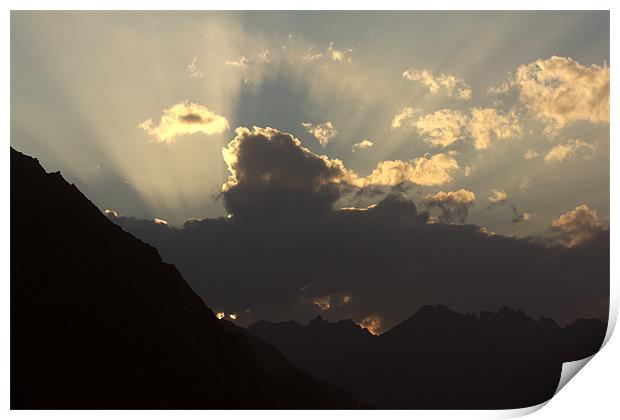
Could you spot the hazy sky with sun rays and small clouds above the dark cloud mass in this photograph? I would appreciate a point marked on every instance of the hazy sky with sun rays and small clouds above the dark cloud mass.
(83, 83)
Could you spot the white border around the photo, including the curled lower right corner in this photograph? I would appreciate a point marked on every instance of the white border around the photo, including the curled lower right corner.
(592, 394)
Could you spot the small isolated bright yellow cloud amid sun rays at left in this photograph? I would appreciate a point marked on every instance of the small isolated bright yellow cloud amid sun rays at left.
(182, 119)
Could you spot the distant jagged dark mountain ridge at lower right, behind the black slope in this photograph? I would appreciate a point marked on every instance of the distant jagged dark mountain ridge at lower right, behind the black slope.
(439, 358)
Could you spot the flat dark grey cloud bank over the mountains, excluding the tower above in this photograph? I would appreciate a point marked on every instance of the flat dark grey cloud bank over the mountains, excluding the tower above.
(387, 260)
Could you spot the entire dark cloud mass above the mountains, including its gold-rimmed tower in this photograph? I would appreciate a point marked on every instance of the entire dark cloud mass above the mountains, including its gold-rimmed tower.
(289, 252)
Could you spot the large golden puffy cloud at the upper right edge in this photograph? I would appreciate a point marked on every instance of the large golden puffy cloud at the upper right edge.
(560, 90)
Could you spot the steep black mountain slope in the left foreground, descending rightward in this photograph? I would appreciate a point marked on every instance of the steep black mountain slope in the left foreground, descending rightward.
(99, 321)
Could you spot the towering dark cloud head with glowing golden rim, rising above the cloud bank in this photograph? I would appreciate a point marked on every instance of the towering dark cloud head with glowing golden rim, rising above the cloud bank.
(272, 175)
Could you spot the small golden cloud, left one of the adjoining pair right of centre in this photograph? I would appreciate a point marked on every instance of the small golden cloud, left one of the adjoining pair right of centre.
(441, 128)
